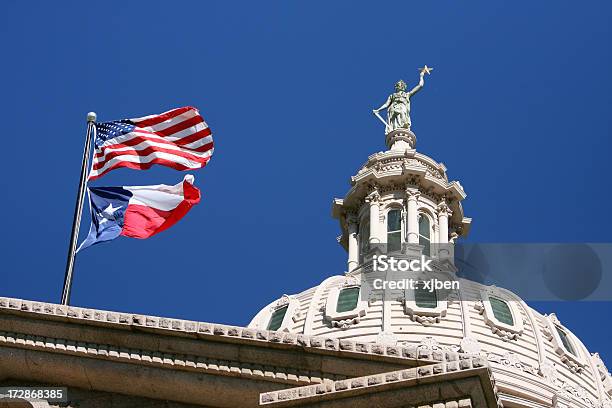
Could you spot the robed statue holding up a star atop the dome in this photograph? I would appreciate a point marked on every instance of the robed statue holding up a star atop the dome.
(398, 104)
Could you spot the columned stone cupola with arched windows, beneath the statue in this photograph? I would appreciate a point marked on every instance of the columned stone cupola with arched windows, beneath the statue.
(402, 199)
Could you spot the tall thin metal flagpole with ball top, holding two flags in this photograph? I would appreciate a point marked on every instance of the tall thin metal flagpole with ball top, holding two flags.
(78, 210)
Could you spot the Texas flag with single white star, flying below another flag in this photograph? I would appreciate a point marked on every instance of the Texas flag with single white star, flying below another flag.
(137, 211)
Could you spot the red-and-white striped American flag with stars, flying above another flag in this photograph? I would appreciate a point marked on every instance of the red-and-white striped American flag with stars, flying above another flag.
(178, 138)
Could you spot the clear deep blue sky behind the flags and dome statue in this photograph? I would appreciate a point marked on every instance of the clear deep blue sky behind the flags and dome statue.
(518, 108)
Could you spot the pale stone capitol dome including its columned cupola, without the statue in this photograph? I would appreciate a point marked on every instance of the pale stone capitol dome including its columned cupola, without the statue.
(404, 201)
